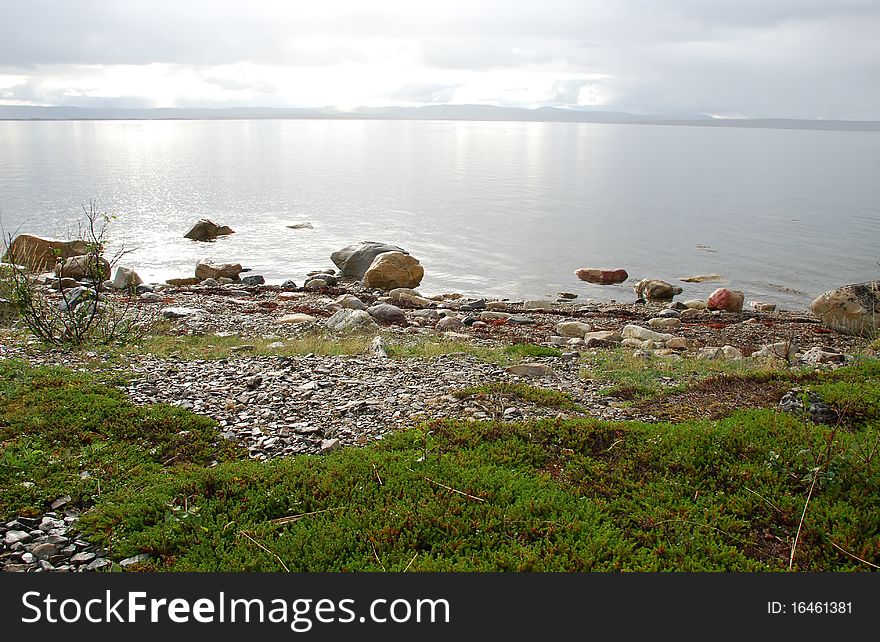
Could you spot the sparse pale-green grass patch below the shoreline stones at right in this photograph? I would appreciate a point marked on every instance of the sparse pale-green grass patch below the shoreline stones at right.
(637, 378)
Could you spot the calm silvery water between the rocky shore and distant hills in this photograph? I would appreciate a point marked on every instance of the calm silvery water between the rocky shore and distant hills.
(497, 209)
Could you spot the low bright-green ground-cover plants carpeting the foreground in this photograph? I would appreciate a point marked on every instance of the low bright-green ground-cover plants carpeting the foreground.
(723, 495)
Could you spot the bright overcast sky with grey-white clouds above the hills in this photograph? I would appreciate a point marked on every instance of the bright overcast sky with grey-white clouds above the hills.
(736, 58)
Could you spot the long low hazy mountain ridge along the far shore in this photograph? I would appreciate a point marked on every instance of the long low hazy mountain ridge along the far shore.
(427, 112)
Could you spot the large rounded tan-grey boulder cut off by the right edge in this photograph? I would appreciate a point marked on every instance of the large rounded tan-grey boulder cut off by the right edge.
(851, 309)
